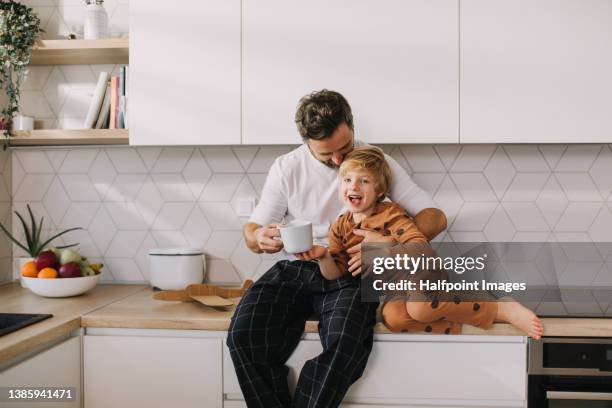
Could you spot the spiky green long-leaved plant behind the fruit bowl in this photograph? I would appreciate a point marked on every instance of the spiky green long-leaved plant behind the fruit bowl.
(33, 244)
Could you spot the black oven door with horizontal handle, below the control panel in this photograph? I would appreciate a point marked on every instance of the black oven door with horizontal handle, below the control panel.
(569, 392)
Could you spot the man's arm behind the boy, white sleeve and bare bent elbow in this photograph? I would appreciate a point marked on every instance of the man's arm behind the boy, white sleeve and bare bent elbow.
(425, 212)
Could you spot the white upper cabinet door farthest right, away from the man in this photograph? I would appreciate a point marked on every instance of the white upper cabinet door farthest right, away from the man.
(536, 71)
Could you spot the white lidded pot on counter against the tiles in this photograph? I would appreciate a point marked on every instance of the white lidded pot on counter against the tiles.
(175, 268)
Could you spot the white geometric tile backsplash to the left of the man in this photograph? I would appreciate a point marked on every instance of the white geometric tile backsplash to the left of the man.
(129, 200)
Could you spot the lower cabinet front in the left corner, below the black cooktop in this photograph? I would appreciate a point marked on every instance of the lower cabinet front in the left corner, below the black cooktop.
(57, 366)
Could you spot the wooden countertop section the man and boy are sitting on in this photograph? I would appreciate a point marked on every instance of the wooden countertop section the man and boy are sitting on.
(140, 310)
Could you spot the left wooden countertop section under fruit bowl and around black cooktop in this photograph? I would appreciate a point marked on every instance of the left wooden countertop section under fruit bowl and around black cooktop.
(66, 312)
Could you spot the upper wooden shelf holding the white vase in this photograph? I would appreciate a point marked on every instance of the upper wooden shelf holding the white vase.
(65, 52)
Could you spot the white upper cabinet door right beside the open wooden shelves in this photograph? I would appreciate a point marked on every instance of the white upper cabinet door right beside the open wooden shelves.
(184, 83)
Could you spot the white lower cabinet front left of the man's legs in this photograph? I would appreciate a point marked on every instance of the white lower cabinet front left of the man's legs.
(152, 372)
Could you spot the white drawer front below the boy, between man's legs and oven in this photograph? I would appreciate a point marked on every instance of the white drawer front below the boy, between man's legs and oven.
(453, 371)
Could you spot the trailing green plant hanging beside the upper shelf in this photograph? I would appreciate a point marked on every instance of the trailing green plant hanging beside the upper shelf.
(19, 30)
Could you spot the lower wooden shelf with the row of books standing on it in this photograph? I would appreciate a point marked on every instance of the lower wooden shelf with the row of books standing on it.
(54, 137)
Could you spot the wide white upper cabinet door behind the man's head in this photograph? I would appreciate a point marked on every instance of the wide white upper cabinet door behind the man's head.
(395, 61)
